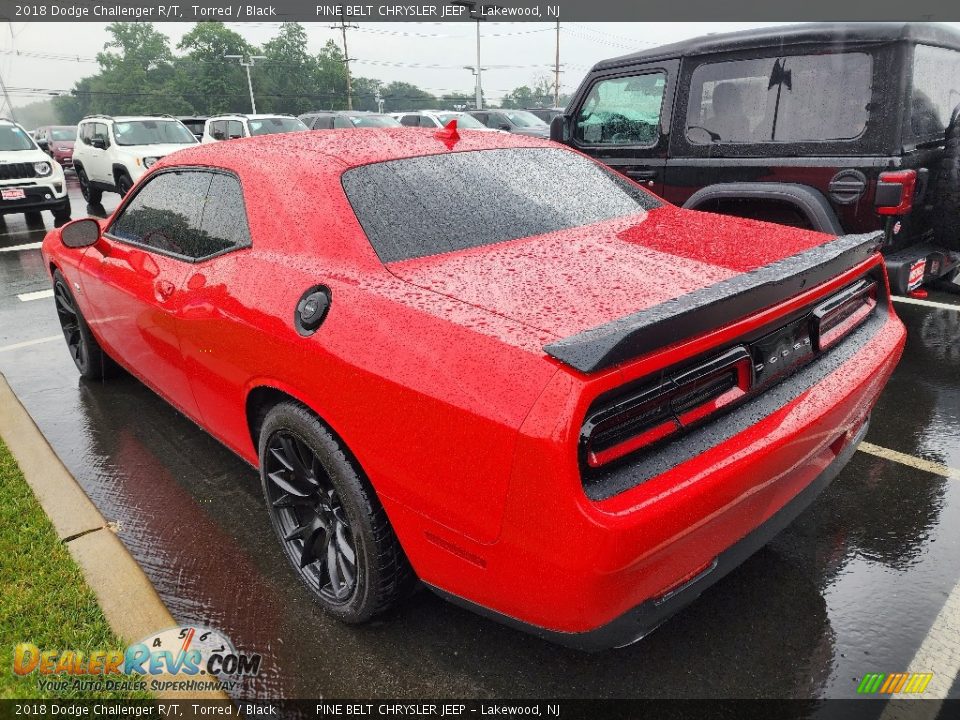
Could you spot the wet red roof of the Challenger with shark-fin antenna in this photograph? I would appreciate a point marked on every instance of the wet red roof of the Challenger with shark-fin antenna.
(352, 147)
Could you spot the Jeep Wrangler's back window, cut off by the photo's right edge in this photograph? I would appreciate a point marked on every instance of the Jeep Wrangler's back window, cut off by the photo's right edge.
(936, 90)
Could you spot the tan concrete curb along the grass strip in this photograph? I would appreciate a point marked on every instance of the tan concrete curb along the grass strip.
(129, 601)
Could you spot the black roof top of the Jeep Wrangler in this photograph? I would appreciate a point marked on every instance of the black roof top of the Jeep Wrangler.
(834, 34)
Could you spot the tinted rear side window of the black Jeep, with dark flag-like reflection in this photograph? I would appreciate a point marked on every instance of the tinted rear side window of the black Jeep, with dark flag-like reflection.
(801, 98)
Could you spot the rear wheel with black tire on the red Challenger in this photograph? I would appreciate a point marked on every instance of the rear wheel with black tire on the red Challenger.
(328, 518)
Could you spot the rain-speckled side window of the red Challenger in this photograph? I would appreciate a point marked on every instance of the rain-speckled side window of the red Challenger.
(192, 214)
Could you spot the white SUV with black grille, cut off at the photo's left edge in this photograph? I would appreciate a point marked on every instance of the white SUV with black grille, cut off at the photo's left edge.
(29, 181)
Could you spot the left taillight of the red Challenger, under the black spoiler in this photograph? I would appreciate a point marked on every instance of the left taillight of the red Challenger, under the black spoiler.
(659, 410)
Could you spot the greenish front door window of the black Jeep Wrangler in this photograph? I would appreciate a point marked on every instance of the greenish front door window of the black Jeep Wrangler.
(623, 111)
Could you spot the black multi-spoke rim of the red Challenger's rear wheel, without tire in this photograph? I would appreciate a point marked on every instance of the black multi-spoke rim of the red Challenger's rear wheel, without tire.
(308, 511)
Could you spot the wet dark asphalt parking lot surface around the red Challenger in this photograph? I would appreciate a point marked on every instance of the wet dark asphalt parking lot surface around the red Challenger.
(862, 582)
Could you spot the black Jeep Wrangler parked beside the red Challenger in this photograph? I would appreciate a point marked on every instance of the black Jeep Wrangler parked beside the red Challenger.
(839, 127)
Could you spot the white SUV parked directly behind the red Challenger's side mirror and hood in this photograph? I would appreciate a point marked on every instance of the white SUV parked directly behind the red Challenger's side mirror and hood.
(112, 153)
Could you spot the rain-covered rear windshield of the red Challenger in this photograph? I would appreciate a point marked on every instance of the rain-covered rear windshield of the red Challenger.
(442, 203)
